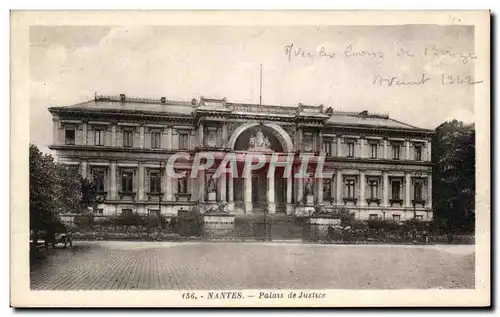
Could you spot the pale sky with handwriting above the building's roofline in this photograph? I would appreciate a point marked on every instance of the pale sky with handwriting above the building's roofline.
(348, 68)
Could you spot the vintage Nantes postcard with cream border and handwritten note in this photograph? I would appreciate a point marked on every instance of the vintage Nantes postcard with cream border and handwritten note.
(250, 159)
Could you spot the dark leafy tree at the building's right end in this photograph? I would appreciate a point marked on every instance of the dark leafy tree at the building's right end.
(454, 175)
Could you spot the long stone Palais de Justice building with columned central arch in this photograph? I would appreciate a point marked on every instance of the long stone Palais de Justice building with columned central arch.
(381, 167)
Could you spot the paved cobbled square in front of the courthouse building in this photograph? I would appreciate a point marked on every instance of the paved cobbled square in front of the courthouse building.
(197, 265)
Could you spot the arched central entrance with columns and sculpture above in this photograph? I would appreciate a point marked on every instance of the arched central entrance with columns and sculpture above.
(258, 193)
